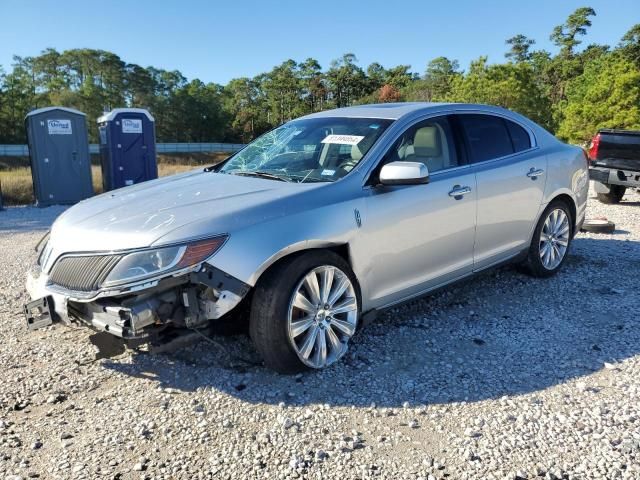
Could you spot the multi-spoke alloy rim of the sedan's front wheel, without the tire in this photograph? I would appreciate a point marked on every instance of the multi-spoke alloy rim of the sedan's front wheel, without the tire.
(323, 313)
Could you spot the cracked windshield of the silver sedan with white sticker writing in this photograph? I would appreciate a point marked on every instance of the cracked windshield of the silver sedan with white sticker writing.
(312, 150)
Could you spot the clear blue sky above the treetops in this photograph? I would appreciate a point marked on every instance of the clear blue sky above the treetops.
(217, 41)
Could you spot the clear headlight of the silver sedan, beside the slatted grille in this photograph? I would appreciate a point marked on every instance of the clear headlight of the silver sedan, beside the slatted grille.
(146, 263)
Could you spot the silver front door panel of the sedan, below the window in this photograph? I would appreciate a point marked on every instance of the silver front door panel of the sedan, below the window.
(419, 236)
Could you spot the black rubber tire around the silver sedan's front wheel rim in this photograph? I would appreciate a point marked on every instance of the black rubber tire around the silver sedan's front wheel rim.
(268, 327)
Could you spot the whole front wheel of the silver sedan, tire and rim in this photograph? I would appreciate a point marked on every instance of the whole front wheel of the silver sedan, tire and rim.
(304, 312)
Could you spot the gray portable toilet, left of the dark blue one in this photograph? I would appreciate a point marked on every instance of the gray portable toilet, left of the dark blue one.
(59, 151)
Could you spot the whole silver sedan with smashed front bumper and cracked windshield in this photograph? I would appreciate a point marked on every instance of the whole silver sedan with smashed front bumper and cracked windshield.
(316, 226)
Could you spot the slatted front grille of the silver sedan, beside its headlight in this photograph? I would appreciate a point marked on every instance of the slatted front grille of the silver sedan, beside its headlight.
(83, 273)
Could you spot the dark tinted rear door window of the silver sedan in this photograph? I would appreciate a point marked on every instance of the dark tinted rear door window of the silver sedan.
(487, 137)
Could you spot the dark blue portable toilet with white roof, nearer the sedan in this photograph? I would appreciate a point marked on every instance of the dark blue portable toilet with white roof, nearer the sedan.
(127, 147)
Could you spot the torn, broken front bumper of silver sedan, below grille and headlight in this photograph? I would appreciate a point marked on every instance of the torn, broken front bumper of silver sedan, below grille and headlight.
(141, 311)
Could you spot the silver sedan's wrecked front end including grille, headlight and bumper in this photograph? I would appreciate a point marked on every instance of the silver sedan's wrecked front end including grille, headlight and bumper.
(133, 294)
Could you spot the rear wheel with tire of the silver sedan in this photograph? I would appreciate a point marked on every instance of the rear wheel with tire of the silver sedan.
(551, 240)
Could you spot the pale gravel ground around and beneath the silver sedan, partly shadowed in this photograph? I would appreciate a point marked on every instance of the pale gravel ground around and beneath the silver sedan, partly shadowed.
(501, 377)
